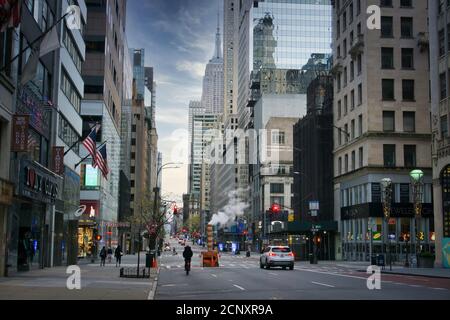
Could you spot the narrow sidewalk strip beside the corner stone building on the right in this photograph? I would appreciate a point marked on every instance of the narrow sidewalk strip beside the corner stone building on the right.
(361, 266)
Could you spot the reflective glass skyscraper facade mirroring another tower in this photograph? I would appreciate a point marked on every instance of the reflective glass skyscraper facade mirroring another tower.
(287, 32)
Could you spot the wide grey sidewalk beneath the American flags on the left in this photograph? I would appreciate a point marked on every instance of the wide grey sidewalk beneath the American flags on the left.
(97, 283)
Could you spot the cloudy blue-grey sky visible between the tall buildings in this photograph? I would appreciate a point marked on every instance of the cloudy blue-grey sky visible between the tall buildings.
(178, 37)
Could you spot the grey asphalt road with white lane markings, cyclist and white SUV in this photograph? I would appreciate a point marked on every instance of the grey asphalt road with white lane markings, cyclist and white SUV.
(239, 277)
